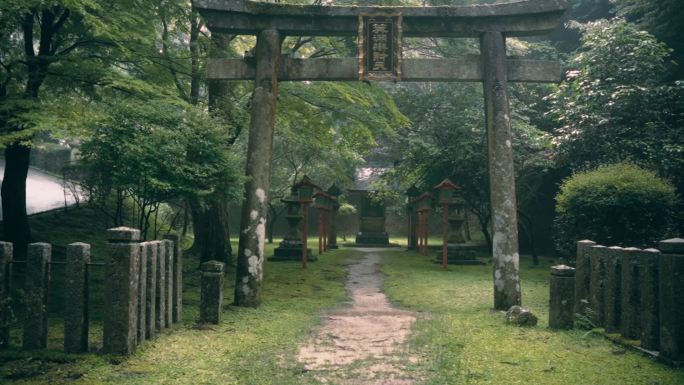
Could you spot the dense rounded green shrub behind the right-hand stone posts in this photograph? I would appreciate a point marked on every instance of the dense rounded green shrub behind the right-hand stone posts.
(619, 204)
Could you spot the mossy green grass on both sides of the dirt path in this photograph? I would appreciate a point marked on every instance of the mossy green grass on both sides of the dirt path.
(458, 338)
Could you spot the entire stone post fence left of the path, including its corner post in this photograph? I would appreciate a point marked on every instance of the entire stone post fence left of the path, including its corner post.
(143, 291)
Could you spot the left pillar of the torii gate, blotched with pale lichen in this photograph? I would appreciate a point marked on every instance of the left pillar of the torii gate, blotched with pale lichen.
(250, 258)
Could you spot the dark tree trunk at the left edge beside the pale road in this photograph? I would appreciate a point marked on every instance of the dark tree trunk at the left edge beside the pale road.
(16, 227)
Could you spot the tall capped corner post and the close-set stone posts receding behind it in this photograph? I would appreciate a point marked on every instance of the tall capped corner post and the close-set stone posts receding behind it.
(143, 289)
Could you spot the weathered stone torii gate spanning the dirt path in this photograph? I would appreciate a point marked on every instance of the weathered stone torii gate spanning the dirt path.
(490, 23)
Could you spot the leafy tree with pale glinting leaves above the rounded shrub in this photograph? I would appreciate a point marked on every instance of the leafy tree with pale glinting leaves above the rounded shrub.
(615, 107)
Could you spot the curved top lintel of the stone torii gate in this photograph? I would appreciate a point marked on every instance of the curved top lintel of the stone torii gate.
(515, 19)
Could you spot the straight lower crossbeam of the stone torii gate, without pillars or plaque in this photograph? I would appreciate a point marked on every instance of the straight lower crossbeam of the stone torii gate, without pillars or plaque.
(464, 69)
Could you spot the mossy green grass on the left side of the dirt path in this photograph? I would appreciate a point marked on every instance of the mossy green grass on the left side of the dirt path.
(250, 346)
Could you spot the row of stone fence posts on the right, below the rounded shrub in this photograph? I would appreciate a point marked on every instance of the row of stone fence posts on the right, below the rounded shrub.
(638, 294)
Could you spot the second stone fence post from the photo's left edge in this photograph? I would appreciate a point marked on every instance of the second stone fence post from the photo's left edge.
(36, 291)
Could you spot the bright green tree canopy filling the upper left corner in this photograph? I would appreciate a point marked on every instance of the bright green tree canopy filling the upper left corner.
(74, 48)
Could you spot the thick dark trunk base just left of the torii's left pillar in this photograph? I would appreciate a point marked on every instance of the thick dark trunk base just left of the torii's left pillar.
(210, 226)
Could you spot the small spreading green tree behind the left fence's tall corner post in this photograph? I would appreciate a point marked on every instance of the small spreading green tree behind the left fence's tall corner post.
(154, 151)
